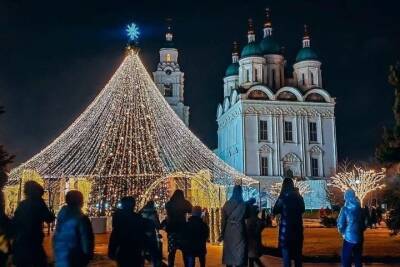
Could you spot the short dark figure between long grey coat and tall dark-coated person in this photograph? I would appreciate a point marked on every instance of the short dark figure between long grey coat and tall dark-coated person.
(254, 226)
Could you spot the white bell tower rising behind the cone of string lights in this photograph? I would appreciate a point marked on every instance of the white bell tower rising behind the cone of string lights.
(170, 79)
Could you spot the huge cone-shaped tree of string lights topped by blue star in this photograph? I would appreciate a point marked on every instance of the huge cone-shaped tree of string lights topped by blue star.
(127, 140)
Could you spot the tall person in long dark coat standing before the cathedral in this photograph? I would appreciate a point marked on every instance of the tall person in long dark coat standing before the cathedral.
(290, 205)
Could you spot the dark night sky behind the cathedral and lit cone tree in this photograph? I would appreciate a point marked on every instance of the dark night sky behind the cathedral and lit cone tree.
(55, 56)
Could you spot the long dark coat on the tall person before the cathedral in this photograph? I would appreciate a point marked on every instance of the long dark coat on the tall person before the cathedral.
(291, 208)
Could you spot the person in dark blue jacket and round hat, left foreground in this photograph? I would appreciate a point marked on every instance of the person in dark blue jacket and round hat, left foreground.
(73, 240)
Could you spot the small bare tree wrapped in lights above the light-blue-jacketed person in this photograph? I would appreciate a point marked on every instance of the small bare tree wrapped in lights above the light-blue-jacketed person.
(360, 180)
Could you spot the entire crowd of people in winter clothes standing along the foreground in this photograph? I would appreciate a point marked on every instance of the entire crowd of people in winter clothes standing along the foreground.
(135, 236)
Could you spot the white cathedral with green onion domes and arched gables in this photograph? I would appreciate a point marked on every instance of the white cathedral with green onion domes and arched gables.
(272, 125)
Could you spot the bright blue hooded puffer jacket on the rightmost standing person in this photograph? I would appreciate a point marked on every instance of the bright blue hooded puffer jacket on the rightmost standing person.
(351, 223)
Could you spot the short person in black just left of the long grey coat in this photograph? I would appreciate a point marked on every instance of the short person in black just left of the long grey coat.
(195, 238)
